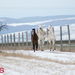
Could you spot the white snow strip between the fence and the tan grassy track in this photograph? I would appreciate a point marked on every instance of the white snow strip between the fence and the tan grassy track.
(65, 57)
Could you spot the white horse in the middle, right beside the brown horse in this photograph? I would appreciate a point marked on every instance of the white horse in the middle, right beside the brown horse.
(41, 35)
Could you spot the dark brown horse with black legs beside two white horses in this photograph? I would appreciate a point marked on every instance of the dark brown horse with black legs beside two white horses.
(34, 39)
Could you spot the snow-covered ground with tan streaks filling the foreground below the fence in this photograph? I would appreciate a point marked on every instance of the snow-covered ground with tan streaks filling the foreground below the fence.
(38, 63)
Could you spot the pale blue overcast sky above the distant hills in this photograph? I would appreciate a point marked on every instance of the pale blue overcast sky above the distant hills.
(30, 8)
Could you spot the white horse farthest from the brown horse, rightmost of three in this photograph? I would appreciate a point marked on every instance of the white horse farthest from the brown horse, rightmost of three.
(51, 38)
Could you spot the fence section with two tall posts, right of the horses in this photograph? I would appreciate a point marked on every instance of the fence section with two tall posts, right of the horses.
(66, 45)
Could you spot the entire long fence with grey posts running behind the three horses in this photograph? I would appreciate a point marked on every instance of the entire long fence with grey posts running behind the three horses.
(22, 40)
